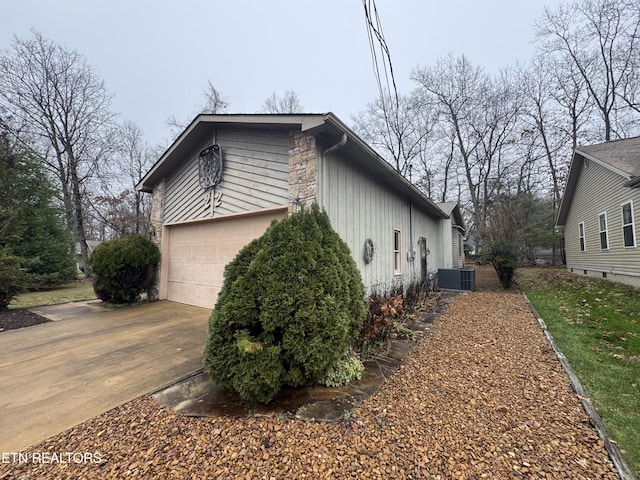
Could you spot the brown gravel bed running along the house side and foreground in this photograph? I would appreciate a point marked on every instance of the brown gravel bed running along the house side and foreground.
(482, 396)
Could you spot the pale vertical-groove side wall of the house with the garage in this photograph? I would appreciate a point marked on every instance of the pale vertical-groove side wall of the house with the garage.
(360, 207)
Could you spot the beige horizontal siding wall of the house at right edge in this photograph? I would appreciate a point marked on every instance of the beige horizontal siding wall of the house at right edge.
(598, 191)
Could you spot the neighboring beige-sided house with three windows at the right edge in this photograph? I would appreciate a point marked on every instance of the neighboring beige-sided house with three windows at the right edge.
(599, 211)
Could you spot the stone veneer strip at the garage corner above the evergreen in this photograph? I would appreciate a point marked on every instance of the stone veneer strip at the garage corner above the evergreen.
(303, 168)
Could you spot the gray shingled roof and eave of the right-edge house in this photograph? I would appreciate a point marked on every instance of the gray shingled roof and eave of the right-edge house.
(619, 156)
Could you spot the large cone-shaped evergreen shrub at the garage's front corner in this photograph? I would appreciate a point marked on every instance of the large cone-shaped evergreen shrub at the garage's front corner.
(291, 304)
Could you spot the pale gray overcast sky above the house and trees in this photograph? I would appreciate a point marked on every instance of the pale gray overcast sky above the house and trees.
(157, 56)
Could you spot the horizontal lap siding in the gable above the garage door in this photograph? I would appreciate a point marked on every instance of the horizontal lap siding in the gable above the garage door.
(255, 175)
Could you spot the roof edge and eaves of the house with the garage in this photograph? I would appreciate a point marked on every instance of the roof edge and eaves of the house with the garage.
(326, 127)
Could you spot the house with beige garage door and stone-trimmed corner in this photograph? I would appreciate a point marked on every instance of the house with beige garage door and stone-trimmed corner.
(226, 177)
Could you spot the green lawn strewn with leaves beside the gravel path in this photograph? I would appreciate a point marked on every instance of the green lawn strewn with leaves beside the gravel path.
(596, 325)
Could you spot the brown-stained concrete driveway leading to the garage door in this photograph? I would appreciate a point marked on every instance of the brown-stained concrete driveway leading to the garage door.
(56, 375)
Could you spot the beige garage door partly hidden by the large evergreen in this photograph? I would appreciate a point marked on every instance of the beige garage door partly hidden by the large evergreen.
(196, 253)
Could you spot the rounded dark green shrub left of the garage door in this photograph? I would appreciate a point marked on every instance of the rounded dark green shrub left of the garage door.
(123, 268)
